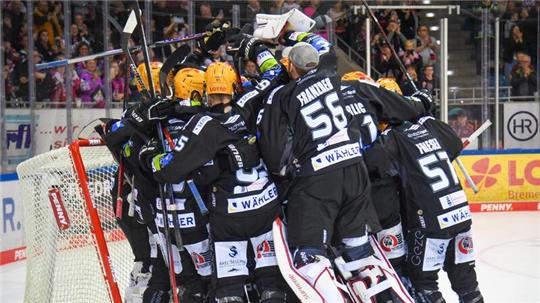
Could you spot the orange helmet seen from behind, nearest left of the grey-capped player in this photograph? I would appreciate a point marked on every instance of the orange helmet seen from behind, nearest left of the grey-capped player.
(220, 78)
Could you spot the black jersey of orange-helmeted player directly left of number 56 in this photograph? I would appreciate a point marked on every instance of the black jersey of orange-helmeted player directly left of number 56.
(213, 155)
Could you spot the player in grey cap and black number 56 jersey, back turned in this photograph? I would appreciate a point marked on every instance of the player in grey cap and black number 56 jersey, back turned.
(308, 137)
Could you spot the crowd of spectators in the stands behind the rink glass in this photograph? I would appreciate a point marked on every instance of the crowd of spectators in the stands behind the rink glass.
(407, 33)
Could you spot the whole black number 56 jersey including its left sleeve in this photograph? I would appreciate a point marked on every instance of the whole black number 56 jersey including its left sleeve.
(304, 128)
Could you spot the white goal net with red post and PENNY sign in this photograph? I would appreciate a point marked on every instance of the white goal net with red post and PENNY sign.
(75, 250)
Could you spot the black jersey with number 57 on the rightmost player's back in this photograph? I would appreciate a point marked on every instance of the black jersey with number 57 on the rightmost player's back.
(421, 154)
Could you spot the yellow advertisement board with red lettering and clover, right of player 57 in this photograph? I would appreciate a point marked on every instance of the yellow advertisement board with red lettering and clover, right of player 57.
(506, 182)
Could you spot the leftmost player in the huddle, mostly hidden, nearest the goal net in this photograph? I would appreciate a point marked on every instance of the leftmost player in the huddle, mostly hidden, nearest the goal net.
(119, 137)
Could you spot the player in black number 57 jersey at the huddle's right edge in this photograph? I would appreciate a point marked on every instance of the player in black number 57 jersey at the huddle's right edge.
(436, 208)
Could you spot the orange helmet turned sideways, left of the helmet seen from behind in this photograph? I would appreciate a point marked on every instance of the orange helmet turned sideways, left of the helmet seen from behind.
(189, 85)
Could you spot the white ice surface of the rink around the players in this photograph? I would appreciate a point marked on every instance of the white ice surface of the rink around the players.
(508, 266)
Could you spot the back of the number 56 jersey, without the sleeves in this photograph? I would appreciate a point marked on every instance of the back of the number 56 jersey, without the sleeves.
(323, 136)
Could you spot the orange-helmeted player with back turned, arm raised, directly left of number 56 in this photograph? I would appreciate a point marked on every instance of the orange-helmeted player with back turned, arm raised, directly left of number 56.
(218, 149)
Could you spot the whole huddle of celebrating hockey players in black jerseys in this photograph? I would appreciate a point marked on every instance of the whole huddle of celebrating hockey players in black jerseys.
(359, 174)
